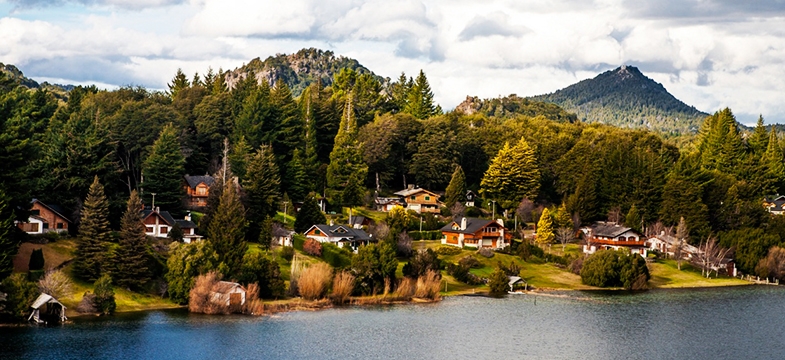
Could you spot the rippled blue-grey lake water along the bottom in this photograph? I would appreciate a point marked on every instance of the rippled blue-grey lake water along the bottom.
(725, 323)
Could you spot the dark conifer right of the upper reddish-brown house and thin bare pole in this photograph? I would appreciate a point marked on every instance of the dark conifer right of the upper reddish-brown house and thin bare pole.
(262, 187)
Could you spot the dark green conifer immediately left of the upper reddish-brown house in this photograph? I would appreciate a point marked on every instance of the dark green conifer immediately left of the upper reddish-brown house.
(163, 171)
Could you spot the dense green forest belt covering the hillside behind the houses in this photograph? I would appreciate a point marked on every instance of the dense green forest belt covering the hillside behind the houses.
(358, 136)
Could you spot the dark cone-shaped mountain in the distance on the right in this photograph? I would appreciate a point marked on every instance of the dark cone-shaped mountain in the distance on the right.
(624, 97)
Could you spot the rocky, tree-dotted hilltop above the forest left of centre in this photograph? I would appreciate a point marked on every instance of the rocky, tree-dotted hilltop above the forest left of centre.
(298, 70)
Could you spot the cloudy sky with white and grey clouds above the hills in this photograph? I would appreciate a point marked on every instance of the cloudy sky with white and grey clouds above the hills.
(708, 53)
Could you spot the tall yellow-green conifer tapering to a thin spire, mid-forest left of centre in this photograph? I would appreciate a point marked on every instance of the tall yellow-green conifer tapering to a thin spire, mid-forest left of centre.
(346, 159)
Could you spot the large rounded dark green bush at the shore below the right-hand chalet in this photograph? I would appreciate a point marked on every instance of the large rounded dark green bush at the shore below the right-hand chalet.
(615, 268)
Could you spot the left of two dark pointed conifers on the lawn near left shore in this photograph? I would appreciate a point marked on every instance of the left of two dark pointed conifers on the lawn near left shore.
(93, 234)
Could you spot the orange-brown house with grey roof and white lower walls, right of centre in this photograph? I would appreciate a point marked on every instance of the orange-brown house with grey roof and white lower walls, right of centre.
(477, 233)
